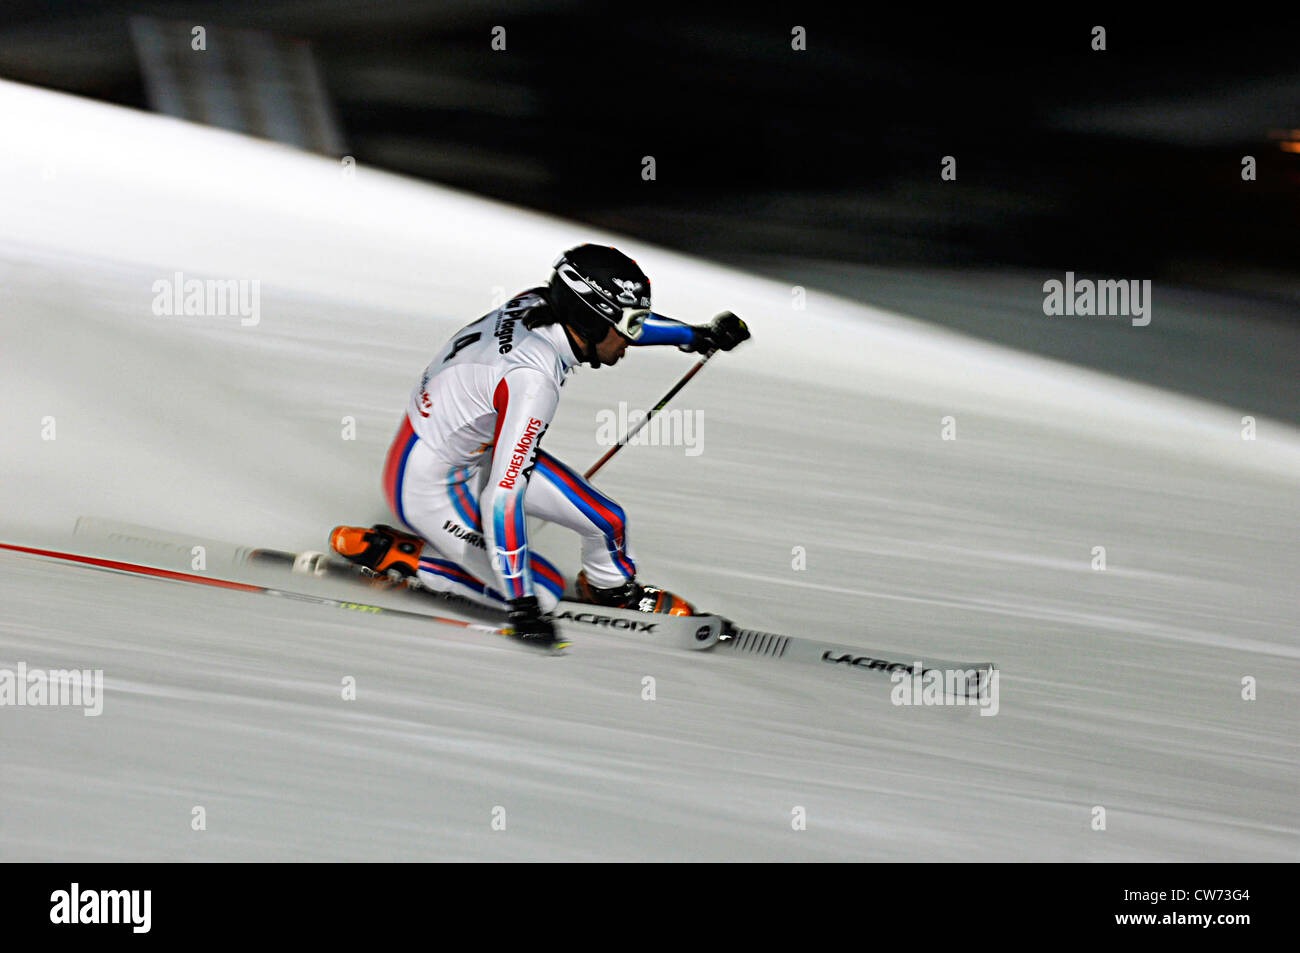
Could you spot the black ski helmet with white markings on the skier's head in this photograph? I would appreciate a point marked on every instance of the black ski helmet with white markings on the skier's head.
(596, 288)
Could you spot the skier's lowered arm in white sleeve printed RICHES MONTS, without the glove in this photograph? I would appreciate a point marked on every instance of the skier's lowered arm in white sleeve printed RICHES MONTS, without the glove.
(526, 402)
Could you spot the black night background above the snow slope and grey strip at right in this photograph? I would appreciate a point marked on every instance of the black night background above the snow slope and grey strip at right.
(1125, 162)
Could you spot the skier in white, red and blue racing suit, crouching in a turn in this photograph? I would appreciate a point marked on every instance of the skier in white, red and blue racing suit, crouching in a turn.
(469, 450)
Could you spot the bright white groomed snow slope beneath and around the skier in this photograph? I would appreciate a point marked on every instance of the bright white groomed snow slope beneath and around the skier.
(1121, 688)
